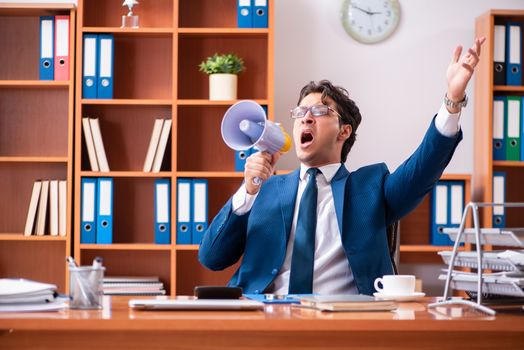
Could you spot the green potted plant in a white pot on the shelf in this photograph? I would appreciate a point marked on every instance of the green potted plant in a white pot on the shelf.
(222, 70)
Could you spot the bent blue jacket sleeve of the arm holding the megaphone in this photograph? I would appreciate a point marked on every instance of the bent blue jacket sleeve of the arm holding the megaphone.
(224, 241)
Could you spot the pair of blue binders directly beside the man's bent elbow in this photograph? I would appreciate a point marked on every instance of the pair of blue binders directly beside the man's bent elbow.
(192, 210)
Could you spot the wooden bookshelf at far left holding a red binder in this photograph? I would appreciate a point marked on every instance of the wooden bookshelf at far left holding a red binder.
(36, 142)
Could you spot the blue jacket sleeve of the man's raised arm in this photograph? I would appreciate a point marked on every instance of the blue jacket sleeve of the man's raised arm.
(405, 188)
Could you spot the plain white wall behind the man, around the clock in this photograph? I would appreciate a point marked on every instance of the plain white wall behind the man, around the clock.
(398, 84)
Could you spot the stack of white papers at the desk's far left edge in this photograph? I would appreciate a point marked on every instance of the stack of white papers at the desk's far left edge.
(20, 295)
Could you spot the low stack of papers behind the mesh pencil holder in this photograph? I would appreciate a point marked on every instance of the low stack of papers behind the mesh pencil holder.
(133, 286)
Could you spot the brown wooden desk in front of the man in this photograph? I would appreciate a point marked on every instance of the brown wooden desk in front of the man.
(413, 326)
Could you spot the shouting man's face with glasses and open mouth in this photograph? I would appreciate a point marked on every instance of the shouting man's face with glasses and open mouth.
(319, 140)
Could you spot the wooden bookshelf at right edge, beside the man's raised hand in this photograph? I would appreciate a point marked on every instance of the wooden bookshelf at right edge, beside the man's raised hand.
(485, 90)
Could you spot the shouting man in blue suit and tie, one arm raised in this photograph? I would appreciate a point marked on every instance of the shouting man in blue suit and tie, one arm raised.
(322, 229)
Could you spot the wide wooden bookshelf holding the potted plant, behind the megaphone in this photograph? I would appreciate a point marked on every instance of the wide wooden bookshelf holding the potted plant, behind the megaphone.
(156, 76)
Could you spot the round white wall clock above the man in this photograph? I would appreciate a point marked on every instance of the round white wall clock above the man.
(370, 21)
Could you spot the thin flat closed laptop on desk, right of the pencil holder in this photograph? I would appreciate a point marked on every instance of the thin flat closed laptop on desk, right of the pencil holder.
(195, 304)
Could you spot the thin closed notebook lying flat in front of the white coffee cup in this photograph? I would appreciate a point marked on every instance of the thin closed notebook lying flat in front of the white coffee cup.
(346, 303)
